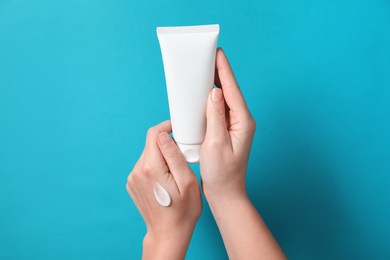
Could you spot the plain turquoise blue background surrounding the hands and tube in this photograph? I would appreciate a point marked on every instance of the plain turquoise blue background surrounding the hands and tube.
(81, 82)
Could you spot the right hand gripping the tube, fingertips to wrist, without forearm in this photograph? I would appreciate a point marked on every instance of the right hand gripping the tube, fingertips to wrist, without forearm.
(230, 129)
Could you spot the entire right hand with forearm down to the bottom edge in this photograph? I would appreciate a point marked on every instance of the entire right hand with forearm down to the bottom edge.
(223, 163)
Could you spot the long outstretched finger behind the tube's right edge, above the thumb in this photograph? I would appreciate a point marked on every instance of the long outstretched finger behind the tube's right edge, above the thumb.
(226, 80)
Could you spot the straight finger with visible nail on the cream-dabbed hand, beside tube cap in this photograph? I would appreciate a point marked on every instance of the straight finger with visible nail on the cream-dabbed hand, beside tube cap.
(175, 160)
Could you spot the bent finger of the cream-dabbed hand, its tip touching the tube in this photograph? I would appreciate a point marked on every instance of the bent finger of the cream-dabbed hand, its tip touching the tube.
(152, 155)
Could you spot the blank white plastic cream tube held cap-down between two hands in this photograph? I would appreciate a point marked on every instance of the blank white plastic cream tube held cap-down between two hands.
(188, 54)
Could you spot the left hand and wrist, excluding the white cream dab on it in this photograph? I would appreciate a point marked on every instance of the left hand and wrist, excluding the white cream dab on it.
(169, 229)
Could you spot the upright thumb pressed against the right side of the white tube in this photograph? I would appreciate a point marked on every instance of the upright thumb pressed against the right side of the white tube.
(215, 114)
